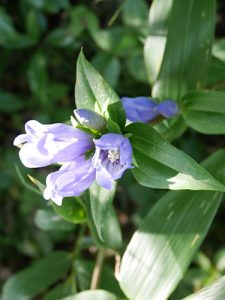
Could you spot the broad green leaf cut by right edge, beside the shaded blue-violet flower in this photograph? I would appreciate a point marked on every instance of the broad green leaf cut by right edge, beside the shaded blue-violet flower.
(205, 112)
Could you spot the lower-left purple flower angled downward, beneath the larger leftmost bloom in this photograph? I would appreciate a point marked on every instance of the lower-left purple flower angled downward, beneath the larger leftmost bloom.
(71, 180)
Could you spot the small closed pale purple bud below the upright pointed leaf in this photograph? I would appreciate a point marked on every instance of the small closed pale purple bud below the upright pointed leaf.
(90, 119)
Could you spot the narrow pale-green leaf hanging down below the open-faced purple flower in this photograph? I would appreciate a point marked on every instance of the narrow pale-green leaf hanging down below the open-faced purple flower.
(102, 217)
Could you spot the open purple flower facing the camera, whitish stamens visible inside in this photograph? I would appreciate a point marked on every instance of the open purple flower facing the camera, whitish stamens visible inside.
(113, 155)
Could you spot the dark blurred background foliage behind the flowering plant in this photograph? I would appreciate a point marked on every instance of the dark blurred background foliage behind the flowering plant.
(40, 41)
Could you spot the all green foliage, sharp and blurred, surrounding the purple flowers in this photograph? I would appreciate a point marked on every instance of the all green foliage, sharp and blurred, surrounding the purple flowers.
(49, 251)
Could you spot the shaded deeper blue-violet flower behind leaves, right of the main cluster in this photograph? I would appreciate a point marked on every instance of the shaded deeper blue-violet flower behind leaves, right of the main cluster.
(143, 109)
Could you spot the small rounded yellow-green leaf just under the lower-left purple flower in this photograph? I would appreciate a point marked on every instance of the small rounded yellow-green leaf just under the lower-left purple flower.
(72, 210)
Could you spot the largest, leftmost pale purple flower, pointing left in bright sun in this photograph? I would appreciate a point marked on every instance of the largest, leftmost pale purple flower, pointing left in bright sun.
(47, 144)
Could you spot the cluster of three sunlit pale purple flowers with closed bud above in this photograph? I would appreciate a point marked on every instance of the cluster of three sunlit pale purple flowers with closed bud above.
(43, 145)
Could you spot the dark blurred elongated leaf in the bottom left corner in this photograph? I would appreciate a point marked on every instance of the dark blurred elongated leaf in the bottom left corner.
(36, 278)
